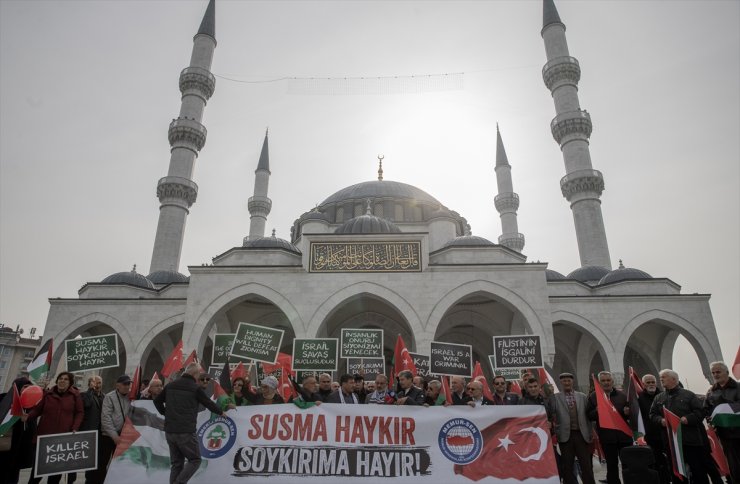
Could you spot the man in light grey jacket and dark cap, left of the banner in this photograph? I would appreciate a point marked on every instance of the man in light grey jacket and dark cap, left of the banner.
(116, 407)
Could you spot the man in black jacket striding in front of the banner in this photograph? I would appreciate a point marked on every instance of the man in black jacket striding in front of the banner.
(179, 403)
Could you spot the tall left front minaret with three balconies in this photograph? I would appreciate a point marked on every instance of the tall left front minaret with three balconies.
(177, 191)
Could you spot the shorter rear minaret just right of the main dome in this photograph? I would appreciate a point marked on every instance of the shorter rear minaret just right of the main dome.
(507, 202)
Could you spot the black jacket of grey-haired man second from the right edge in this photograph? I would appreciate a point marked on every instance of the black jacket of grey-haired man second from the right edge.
(683, 403)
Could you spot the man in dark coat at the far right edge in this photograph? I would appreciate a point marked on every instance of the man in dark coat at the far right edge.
(725, 390)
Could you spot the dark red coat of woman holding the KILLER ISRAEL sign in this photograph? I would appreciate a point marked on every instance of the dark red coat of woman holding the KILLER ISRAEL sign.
(59, 412)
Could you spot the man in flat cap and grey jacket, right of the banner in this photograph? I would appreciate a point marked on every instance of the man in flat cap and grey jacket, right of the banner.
(573, 430)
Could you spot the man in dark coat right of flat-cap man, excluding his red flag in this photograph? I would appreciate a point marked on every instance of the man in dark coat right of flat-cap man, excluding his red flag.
(612, 441)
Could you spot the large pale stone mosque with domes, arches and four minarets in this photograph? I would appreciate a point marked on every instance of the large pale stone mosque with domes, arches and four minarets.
(385, 254)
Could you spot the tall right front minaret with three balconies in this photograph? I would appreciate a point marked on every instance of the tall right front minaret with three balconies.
(571, 128)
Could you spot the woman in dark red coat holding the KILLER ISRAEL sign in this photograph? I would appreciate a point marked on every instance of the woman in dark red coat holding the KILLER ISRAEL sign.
(60, 410)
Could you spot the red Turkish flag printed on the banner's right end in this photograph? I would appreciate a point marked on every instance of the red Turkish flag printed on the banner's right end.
(514, 448)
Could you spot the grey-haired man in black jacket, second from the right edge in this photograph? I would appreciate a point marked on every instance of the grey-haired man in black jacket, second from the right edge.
(688, 408)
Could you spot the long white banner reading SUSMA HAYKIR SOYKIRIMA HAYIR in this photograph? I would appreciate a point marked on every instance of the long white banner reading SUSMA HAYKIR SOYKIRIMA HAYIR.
(337, 443)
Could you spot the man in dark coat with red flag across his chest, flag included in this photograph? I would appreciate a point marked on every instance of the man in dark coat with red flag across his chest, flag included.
(613, 436)
